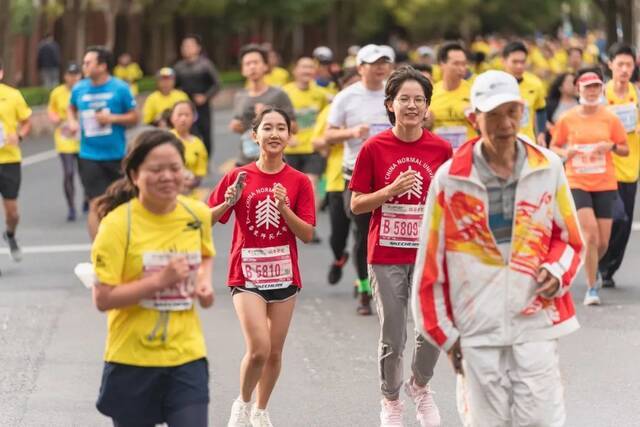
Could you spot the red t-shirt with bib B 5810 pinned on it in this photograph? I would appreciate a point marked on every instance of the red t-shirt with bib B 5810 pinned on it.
(263, 250)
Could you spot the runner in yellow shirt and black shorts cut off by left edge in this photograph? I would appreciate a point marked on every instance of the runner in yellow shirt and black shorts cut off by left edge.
(14, 126)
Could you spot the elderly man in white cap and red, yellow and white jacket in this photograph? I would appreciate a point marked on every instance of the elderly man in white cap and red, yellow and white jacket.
(500, 247)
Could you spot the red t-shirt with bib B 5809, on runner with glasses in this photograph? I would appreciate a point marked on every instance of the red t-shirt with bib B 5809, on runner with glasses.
(395, 226)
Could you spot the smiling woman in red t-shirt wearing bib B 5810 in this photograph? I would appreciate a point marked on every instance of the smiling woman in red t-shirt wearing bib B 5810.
(274, 205)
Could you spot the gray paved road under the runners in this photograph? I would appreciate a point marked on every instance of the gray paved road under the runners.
(51, 337)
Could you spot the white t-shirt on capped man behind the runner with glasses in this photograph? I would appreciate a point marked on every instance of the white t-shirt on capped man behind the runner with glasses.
(354, 106)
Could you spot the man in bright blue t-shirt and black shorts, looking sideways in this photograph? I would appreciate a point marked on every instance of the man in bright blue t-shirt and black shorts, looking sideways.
(102, 107)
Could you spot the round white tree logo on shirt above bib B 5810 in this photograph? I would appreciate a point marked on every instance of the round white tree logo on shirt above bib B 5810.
(263, 217)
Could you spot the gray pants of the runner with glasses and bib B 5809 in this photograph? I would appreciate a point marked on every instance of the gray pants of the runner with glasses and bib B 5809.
(391, 292)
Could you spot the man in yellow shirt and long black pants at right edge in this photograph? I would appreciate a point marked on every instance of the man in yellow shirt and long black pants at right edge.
(622, 99)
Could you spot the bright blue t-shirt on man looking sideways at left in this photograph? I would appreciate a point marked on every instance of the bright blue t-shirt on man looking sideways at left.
(102, 142)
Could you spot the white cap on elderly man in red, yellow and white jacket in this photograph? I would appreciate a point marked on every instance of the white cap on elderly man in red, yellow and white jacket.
(492, 89)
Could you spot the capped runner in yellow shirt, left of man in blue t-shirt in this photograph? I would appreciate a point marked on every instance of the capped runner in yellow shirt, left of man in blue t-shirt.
(67, 142)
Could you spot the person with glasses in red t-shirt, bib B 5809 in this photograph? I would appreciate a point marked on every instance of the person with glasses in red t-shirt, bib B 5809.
(391, 179)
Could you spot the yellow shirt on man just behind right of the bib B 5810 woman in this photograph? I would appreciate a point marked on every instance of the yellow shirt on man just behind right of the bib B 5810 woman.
(307, 105)
